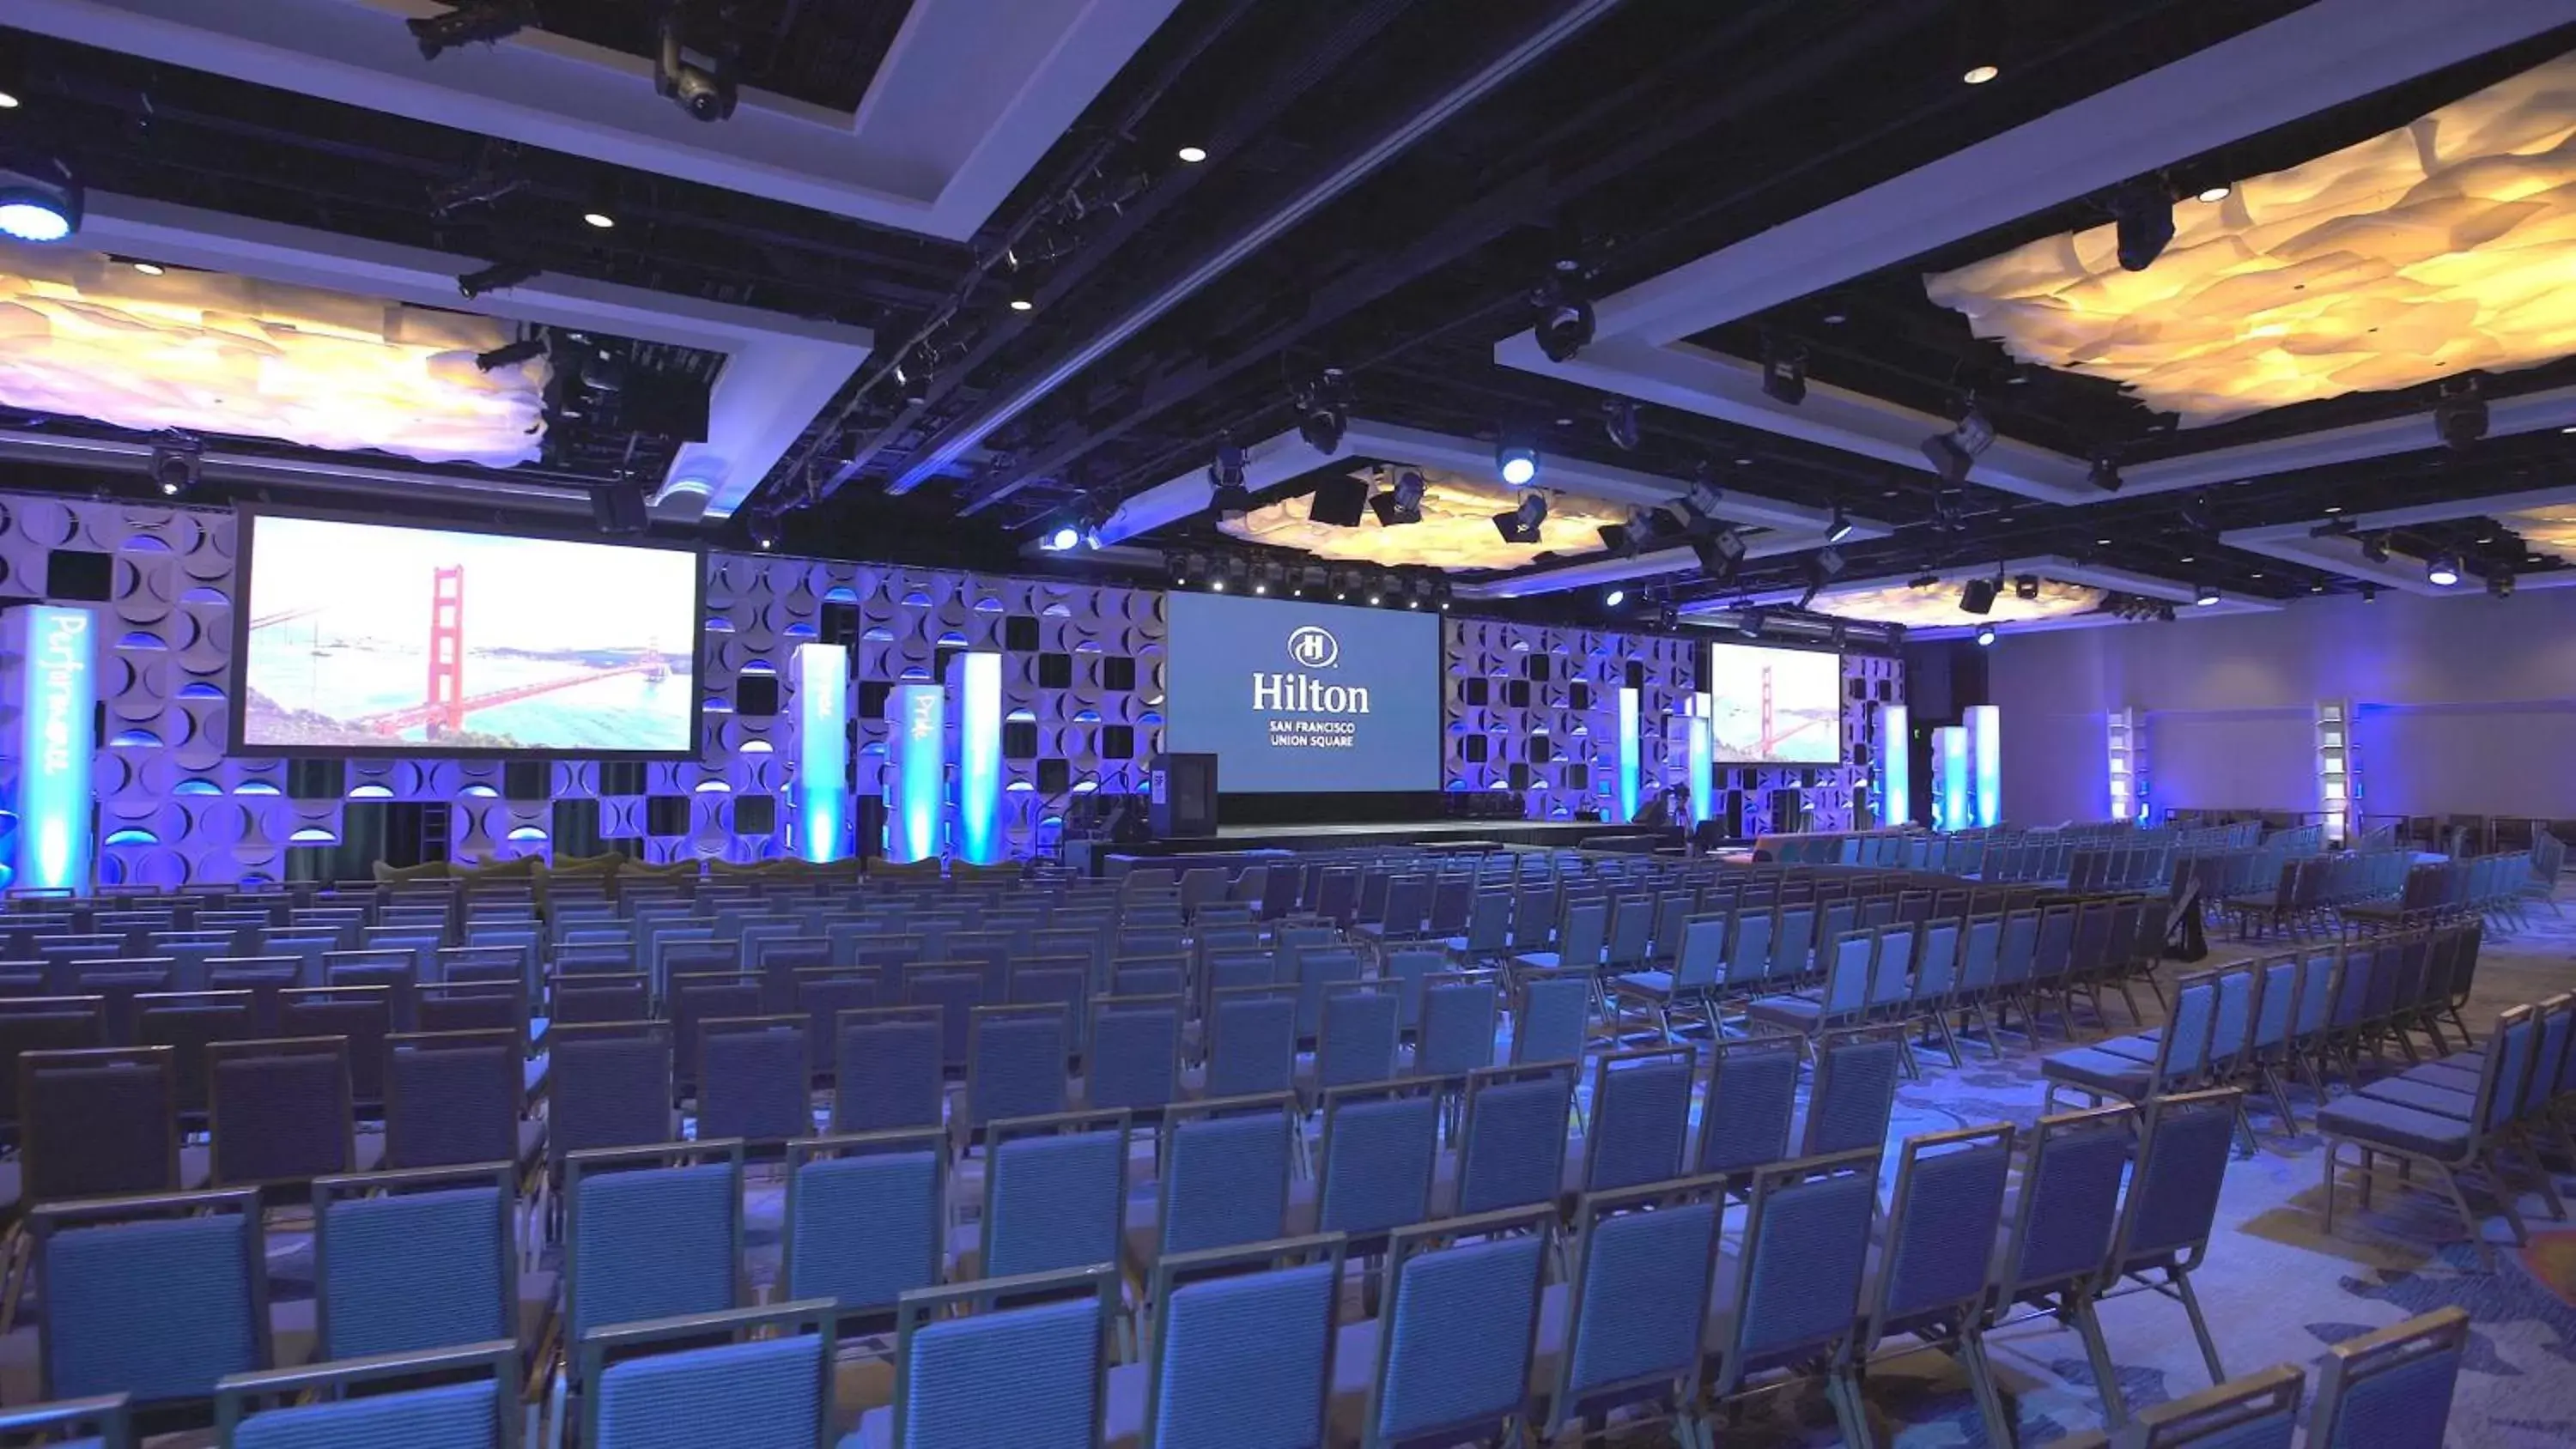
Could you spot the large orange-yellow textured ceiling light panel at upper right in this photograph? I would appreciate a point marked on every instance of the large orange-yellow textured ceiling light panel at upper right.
(2423, 254)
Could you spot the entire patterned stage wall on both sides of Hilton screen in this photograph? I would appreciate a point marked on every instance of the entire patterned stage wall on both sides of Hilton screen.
(1083, 694)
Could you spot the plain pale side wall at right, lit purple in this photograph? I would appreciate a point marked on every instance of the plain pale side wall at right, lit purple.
(2464, 706)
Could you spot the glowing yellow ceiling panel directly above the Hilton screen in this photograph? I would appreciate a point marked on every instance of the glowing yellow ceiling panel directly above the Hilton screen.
(1457, 529)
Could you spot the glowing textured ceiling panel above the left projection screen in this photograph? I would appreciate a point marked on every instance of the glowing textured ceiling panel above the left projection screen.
(218, 354)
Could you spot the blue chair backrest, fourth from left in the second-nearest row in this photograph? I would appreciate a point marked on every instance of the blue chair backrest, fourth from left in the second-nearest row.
(864, 1219)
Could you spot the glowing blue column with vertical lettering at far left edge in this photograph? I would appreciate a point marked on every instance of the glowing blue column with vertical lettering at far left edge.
(53, 683)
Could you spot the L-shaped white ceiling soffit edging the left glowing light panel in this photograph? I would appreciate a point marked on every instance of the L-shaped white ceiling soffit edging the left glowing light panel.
(779, 372)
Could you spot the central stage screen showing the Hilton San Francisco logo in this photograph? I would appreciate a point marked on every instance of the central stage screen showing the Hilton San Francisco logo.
(1305, 696)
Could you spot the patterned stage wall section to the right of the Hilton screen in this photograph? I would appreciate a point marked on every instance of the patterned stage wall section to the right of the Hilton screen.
(1537, 709)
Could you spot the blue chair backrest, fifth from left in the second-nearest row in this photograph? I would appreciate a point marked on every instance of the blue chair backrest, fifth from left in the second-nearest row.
(1055, 1193)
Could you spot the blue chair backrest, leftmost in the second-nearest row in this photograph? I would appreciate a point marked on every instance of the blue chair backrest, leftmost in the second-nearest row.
(153, 1298)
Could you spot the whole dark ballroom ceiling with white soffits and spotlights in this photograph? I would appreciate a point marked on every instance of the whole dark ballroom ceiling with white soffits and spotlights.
(1387, 189)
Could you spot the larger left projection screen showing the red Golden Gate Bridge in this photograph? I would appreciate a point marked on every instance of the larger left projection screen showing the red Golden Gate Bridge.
(390, 640)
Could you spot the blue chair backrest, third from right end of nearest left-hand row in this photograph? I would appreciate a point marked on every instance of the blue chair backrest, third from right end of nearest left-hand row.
(1941, 1232)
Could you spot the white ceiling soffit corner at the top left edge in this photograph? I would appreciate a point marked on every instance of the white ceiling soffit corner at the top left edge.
(967, 99)
